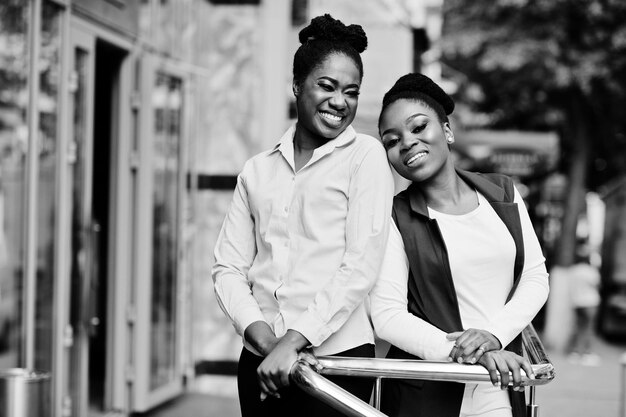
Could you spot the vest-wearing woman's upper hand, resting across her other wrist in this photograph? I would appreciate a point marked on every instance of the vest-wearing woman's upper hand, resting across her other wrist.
(471, 344)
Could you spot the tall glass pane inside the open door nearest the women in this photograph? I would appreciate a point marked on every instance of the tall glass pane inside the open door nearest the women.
(167, 102)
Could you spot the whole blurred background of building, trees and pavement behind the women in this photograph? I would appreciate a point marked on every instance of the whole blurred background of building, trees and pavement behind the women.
(124, 123)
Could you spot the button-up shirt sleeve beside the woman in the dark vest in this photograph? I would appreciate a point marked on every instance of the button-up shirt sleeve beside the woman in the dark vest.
(367, 225)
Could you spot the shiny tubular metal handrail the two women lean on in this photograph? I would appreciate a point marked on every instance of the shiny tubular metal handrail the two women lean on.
(308, 371)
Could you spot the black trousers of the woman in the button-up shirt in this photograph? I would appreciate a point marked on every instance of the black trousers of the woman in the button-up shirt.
(293, 401)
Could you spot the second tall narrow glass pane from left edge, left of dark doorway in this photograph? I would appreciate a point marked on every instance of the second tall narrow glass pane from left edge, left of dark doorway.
(47, 105)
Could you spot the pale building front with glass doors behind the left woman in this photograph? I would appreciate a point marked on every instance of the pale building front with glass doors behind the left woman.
(123, 125)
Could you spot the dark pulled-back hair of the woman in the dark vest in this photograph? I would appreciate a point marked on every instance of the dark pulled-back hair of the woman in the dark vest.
(419, 87)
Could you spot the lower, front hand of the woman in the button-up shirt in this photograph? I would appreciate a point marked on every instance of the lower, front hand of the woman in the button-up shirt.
(273, 373)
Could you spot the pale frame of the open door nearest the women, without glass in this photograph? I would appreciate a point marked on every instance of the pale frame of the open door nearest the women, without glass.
(144, 397)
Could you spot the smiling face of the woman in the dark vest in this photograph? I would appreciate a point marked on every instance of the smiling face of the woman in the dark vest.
(415, 140)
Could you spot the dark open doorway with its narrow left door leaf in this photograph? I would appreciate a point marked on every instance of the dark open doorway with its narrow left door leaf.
(94, 106)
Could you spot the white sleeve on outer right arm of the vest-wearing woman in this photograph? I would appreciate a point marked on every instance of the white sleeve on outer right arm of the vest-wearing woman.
(532, 290)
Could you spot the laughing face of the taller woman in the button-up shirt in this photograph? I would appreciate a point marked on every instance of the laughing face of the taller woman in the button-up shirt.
(328, 98)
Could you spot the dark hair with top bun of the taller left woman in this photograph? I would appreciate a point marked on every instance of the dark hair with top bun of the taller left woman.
(324, 36)
